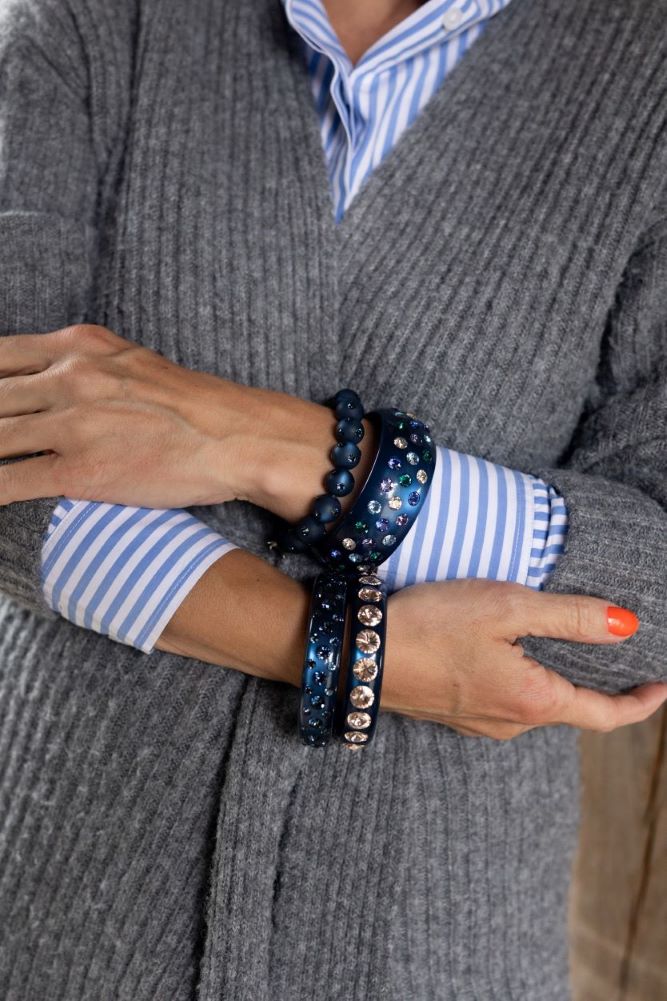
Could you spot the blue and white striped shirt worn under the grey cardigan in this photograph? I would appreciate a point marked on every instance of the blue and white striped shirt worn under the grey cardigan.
(124, 571)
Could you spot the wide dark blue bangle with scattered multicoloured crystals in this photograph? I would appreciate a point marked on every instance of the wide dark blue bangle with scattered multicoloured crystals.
(391, 499)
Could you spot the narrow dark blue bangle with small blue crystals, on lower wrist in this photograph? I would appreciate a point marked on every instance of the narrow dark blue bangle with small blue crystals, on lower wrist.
(320, 681)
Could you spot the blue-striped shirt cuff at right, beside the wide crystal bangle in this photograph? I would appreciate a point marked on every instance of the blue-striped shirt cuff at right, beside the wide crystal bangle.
(481, 521)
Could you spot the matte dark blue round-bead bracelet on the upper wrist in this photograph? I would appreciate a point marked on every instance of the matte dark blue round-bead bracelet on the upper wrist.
(339, 482)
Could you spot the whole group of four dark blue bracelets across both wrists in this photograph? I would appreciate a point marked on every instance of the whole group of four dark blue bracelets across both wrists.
(348, 595)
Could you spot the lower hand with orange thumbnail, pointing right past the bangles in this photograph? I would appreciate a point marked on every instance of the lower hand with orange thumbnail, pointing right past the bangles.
(452, 657)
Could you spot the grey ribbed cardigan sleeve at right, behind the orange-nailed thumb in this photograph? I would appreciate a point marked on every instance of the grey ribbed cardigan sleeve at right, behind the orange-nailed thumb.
(614, 484)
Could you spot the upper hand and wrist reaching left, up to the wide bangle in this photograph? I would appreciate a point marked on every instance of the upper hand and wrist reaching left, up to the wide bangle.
(116, 422)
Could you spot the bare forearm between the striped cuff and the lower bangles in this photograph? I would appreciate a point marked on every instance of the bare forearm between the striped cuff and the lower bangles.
(246, 615)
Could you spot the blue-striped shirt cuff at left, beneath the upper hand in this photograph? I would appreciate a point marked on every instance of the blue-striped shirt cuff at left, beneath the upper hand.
(124, 571)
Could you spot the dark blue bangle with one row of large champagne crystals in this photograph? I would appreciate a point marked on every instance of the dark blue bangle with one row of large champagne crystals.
(357, 715)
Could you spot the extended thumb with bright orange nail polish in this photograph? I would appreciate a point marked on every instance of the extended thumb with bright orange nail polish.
(579, 618)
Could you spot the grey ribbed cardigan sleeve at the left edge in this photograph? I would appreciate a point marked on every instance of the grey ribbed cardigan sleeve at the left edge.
(49, 191)
